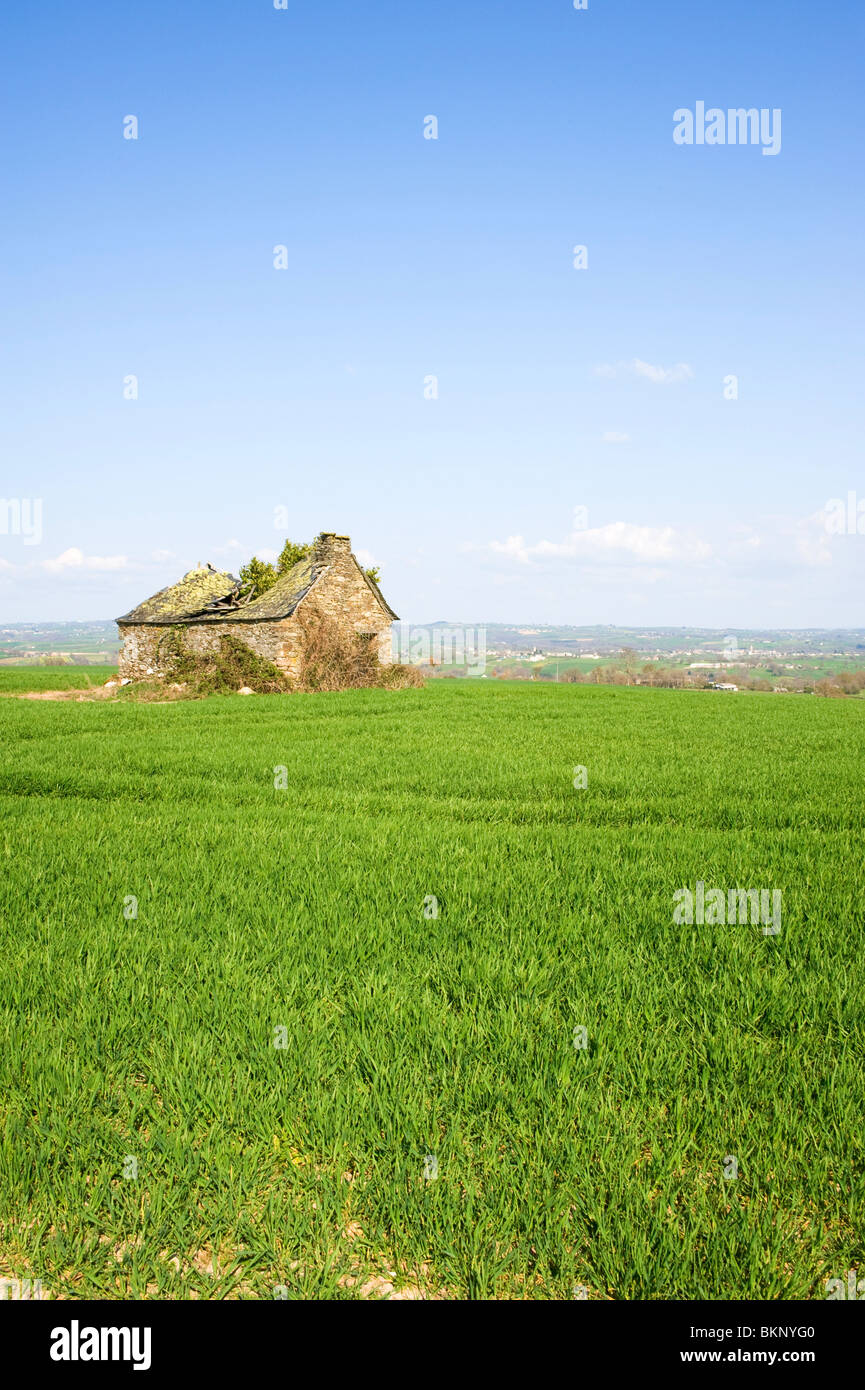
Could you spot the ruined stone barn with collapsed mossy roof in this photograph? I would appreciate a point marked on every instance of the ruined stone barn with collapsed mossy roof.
(329, 586)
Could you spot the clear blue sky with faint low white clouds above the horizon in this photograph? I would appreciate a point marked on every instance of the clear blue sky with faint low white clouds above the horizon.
(410, 258)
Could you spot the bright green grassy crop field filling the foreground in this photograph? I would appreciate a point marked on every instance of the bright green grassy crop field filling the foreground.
(323, 996)
